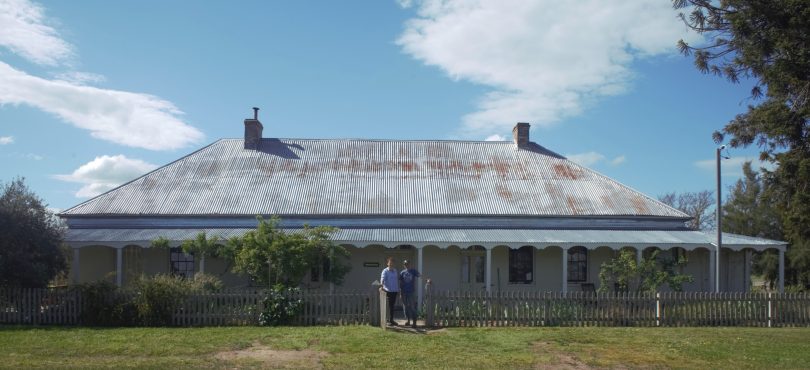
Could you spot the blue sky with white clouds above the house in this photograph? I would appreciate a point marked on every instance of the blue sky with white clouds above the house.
(95, 93)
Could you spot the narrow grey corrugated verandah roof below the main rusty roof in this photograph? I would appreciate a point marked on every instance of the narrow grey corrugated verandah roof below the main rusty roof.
(462, 237)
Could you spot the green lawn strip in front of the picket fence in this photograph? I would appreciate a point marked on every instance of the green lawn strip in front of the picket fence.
(368, 347)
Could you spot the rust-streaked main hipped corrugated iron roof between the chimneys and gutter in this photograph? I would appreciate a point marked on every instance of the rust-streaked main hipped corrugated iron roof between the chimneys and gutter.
(373, 177)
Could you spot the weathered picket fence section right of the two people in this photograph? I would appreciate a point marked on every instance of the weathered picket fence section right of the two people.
(453, 309)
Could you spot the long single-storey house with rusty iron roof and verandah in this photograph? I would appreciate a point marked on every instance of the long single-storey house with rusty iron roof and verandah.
(472, 215)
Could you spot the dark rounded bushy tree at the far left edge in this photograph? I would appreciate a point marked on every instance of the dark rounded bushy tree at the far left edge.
(30, 239)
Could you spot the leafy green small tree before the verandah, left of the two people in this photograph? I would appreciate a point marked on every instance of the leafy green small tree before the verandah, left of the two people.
(271, 256)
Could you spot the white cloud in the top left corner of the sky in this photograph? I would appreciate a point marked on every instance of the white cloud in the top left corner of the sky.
(24, 32)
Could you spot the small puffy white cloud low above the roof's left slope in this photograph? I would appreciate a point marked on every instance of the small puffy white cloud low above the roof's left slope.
(105, 173)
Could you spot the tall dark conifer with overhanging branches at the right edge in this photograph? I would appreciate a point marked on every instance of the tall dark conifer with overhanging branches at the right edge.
(767, 41)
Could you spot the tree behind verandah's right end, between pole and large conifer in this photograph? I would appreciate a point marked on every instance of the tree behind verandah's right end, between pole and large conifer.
(748, 211)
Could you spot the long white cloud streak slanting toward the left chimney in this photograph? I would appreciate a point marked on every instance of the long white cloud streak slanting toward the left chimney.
(132, 119)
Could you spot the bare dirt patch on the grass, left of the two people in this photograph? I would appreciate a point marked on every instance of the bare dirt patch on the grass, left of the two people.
(275, 358)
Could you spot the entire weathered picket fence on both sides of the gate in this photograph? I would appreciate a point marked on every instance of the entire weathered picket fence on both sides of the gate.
(447, 309)
